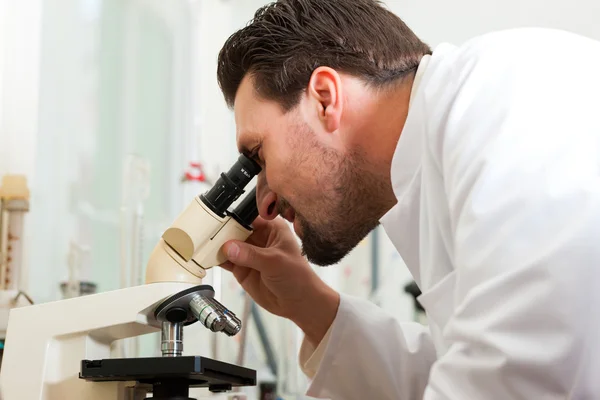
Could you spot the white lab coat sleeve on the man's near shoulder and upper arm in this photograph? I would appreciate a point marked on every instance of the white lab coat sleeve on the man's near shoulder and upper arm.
(519, 158)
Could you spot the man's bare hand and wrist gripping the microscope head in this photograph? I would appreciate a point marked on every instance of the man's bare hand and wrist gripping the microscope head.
(271, 269)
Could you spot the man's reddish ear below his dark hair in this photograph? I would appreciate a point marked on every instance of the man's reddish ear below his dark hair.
(325, 94)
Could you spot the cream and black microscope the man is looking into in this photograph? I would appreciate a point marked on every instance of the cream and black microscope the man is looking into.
(61, 350)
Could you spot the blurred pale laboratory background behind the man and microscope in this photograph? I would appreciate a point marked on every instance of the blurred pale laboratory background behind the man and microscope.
(110, 108)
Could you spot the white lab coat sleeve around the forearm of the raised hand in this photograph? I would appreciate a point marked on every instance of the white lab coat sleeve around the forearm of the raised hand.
(369, 355)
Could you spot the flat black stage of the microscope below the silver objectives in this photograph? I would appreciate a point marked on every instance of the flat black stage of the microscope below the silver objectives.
(194, 370)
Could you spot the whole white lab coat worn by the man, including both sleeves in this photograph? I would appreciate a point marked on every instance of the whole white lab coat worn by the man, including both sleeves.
(497, 175)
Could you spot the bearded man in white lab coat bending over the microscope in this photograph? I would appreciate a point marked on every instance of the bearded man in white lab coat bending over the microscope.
(482, 162)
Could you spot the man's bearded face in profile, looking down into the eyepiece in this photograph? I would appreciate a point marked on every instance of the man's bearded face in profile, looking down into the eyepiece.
(317, 181)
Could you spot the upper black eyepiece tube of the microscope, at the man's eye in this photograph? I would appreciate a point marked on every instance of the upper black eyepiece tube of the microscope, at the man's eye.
(230, 185)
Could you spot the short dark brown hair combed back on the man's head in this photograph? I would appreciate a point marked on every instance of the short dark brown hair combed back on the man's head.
(288, 39)
